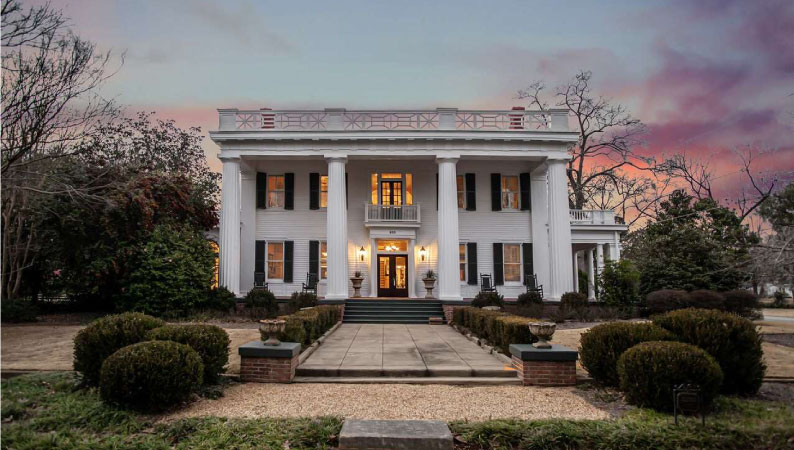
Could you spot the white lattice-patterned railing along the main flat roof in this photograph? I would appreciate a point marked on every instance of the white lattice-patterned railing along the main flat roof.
(438, 119)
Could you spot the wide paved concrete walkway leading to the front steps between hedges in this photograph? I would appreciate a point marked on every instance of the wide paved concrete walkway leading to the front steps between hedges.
(396, 350)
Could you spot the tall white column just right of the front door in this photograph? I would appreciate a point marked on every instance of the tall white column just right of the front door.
(448, 241)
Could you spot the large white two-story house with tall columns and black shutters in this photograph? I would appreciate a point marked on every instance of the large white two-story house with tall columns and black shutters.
(393, 194)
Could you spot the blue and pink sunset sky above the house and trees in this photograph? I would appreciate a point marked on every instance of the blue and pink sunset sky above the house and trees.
(706, 76)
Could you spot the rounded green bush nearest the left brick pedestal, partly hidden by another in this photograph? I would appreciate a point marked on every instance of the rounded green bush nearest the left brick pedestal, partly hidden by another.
(211, 342)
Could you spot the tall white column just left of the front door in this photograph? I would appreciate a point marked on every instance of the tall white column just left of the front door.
(336, 230)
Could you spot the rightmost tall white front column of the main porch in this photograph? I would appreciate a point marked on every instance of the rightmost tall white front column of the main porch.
(559, 230)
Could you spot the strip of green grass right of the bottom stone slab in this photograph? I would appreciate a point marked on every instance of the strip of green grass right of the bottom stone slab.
(735, 424)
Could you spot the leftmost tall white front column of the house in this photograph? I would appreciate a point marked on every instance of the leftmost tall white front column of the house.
(230, 225)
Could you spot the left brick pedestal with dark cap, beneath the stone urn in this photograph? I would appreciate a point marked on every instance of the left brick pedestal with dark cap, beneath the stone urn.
(261, 363)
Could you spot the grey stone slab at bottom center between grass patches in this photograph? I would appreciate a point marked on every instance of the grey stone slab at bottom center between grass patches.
(395, 434)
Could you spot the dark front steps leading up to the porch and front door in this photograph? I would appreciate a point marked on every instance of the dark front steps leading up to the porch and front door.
(392, 311)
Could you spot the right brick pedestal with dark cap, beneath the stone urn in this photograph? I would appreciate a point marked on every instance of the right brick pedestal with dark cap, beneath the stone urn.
(555, 366)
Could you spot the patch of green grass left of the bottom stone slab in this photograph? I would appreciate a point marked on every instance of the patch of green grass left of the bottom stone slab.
(44, 411)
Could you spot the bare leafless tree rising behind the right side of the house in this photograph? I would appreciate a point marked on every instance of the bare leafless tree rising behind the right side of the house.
(608, 135)
